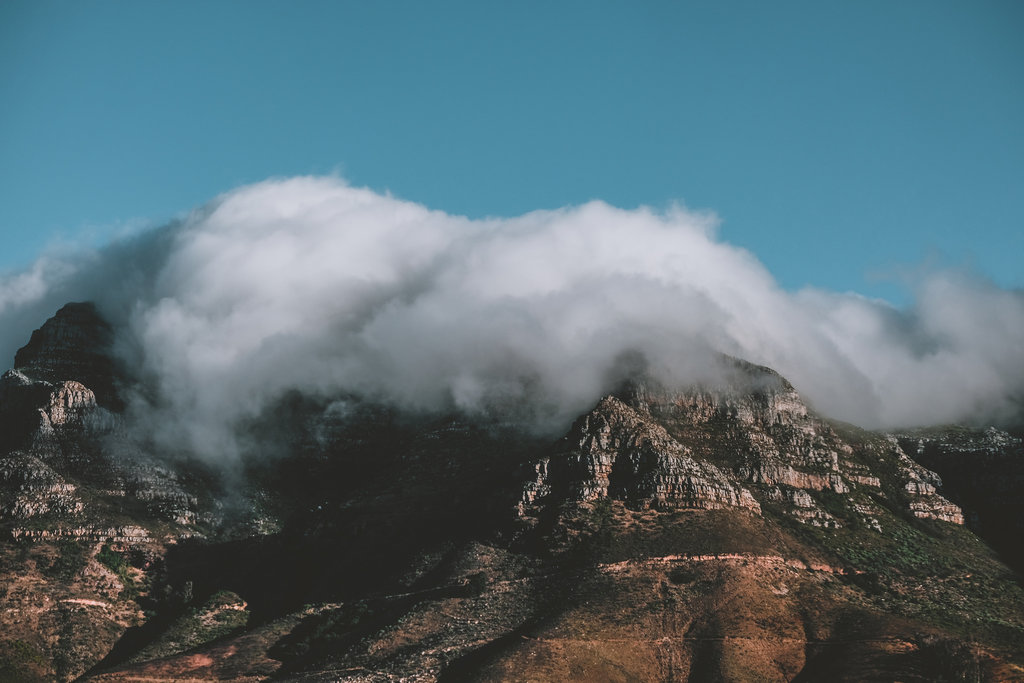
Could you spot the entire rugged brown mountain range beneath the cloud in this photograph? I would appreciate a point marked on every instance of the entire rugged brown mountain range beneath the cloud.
(716, 532)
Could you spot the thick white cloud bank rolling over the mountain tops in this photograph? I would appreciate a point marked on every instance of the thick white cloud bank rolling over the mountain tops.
(311, 284)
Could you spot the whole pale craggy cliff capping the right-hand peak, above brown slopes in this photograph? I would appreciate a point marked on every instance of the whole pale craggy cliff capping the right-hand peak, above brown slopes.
(746, 441)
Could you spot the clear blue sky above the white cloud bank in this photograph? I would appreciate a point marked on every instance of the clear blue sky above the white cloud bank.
(839, 142)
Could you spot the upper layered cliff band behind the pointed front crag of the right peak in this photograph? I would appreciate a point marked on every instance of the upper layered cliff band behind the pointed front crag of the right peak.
(754, 425)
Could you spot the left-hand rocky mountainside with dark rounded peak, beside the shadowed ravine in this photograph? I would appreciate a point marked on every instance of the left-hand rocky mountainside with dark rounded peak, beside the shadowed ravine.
(86, 513)
